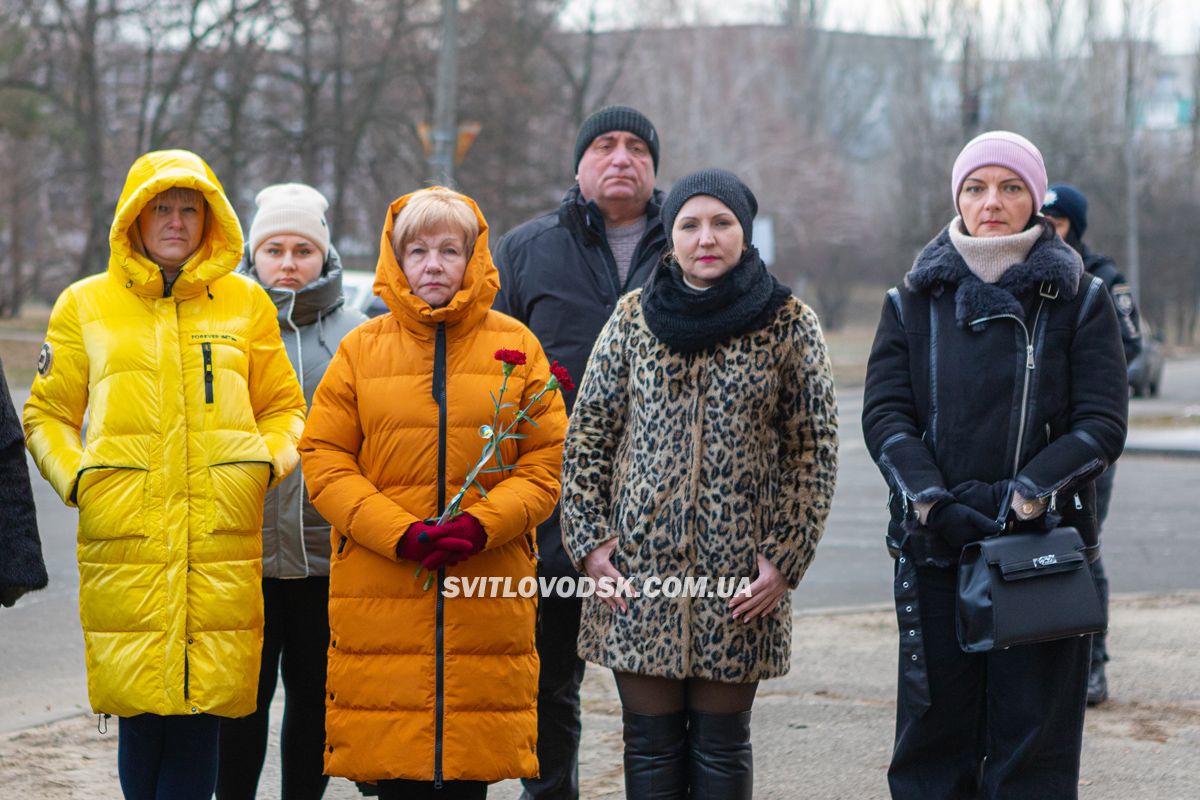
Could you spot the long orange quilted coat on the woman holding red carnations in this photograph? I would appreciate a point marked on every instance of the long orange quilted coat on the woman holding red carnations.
(423, 687)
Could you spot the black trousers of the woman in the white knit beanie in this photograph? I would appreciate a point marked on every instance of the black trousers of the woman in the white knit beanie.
(296, 642)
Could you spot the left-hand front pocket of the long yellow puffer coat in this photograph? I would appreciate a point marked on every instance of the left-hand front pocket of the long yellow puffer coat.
(112, 502)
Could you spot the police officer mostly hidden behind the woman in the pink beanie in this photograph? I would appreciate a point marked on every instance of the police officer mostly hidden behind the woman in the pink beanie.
(1066, 207)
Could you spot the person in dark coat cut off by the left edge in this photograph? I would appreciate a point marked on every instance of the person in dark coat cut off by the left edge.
(22, 568)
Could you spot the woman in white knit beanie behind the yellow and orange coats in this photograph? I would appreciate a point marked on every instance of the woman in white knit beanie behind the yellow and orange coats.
(290, 254)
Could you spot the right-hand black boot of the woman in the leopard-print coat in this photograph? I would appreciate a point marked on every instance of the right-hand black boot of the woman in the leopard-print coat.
(721, 760)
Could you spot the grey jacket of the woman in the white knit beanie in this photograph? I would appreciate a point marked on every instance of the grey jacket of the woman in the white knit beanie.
(313, 322)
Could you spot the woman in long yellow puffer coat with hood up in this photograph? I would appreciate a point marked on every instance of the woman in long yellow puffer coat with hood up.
(193, 412)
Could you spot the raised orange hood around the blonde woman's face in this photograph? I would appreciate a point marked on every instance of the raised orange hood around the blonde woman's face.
(481, 282)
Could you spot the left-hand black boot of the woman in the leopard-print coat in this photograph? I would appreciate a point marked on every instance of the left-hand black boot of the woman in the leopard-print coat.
(656, 756)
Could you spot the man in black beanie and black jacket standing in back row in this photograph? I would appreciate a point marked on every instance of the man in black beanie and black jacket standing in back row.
(562, 275)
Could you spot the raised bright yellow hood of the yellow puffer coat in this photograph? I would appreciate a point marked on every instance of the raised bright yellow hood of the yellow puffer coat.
(221, 244)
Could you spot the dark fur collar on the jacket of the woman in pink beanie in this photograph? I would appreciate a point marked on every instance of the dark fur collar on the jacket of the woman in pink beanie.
(1051, 261)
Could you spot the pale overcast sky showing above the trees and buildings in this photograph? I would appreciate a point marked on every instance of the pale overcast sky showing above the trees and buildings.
(1175, 25)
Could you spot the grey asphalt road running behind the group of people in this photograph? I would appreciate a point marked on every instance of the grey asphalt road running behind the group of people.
(1156, 506)
